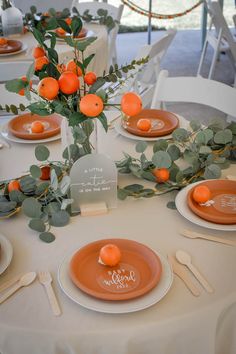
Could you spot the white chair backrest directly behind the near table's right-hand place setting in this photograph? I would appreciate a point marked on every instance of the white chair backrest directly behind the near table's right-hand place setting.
(198, 90)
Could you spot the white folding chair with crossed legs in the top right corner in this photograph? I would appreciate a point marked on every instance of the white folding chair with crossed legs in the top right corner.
(220, 38)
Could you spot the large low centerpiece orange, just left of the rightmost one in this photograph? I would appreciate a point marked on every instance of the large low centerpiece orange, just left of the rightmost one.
(91, 105)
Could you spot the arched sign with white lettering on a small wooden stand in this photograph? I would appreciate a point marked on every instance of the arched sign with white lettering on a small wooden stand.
(93, 185)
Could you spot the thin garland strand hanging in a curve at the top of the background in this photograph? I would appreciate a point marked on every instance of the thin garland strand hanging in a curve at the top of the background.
(144, 12)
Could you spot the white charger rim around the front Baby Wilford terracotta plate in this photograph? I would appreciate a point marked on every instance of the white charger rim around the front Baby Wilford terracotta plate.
(91, 303)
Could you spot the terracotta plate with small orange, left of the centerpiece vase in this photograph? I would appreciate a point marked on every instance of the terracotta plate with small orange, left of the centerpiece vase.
(20, 126)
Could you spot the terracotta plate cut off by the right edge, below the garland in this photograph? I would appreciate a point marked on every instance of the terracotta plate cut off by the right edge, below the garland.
(223, 209)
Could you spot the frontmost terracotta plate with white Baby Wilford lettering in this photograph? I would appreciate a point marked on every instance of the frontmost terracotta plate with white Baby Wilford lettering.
(138, 272)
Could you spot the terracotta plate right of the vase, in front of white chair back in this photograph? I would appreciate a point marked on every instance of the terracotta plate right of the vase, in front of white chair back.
(162, 123)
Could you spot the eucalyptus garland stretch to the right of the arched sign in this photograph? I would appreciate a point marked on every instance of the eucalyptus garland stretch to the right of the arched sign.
(189, 156)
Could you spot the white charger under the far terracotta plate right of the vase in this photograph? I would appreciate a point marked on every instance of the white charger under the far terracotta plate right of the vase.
(183, 123)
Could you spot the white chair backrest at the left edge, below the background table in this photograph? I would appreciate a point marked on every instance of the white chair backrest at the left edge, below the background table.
(13, 70)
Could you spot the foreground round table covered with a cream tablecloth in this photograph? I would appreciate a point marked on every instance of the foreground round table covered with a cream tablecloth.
(179, 323)
